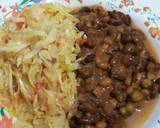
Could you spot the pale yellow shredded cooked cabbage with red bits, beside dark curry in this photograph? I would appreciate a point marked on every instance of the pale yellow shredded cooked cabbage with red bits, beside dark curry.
(37, 63)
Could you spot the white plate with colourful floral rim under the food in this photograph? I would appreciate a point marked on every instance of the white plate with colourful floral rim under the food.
(144, 13)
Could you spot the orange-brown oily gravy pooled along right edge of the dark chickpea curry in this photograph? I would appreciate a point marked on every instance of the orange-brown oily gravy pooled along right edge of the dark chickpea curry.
(145, 110)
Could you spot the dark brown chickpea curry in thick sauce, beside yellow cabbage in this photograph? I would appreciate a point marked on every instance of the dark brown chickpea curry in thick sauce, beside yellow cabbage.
(117, 73)
